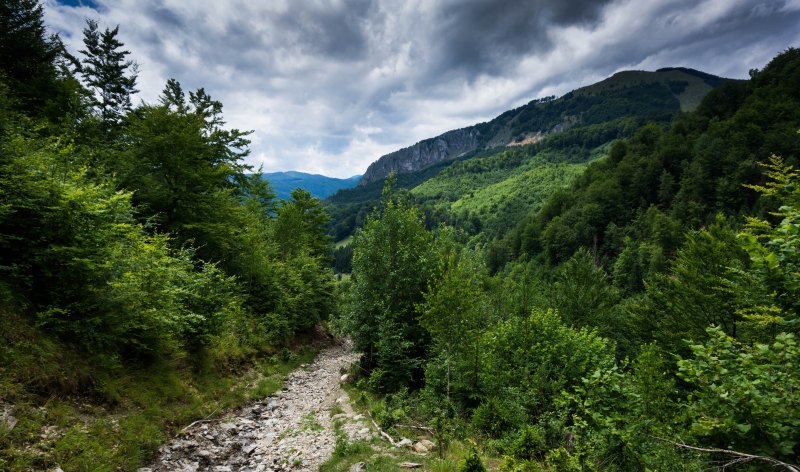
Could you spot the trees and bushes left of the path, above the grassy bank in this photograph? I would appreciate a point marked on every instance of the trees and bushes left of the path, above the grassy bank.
(136, 232)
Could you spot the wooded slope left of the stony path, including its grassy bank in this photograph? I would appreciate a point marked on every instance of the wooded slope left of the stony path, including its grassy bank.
(143, 266)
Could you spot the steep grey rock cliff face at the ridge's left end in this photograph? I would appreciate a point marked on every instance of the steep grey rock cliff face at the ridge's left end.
(430, 151)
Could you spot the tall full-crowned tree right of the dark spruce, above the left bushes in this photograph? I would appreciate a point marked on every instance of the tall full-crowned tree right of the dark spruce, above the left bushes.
(185, 169)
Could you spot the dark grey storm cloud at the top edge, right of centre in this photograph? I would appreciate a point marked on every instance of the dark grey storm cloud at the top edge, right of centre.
(482, 36)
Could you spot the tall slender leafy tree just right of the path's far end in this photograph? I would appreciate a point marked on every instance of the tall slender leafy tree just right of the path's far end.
(390, 275)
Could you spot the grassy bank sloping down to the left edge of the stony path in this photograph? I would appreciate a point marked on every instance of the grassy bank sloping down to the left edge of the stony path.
(116, 421)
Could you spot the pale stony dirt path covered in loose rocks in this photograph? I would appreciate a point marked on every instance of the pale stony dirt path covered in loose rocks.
(290, 430)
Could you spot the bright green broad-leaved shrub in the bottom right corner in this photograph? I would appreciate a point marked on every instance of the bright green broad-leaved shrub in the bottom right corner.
(742, 397)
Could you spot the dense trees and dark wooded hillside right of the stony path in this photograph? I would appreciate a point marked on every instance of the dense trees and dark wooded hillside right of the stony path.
(650, 308)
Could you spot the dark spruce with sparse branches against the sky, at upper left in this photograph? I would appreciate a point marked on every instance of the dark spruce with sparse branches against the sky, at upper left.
(110, 77)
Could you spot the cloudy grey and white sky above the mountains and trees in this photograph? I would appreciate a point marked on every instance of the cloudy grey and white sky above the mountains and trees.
(328, 86)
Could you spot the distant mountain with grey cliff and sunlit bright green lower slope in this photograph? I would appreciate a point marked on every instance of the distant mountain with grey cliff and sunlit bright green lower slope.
(533, 150)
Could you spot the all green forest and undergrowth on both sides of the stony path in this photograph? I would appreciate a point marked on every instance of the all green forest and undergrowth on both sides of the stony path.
(621, 296)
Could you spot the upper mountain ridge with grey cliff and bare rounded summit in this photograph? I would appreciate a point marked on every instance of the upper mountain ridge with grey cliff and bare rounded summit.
(626, 93)
